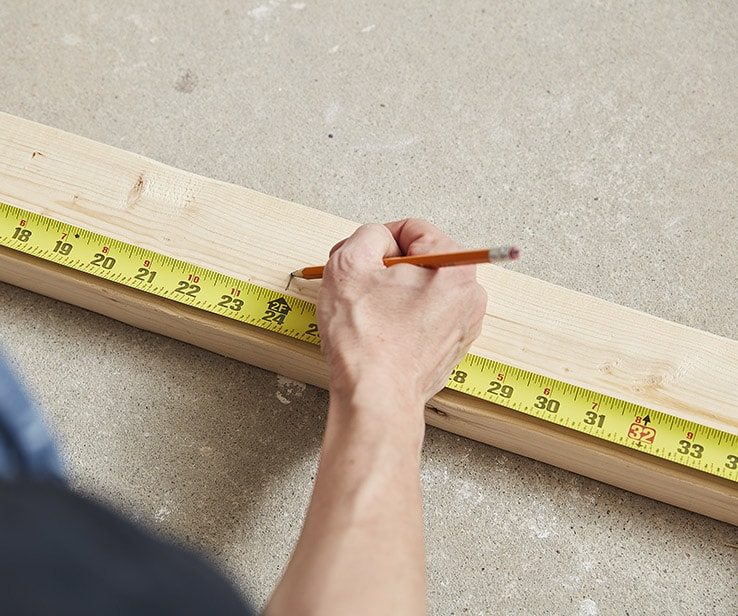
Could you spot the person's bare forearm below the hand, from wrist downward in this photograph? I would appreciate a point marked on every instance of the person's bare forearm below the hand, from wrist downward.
(361, 549)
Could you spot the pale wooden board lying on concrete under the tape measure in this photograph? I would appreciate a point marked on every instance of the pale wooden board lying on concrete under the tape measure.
(529, 323)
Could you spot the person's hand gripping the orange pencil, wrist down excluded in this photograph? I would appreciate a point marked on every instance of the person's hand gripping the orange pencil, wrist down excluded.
(403, 326)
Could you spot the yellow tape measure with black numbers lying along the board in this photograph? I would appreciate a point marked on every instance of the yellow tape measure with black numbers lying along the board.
(653, 432)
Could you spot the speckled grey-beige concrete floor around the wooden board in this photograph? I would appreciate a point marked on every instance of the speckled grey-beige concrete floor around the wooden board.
(600, 136)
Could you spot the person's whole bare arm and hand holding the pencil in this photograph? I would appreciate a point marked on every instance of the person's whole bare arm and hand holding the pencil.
(391, 337)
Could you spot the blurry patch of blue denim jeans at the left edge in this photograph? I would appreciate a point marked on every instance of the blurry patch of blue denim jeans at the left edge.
(27, 451)
